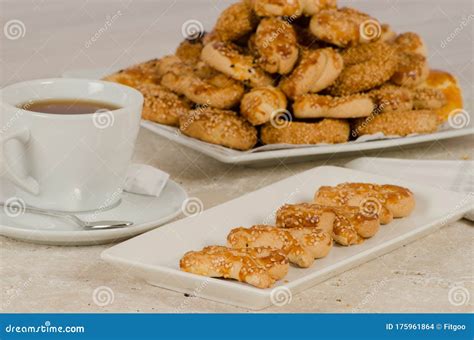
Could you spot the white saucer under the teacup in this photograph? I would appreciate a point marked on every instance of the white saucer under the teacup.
(147, 212)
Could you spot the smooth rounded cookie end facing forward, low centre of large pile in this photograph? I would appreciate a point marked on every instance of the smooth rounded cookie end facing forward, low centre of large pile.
(260, 103)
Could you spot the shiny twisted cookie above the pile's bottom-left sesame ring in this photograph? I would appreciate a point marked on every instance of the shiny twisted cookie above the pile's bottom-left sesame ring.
(215, 90)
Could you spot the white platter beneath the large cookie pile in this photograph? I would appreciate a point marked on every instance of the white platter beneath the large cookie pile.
(270, 154)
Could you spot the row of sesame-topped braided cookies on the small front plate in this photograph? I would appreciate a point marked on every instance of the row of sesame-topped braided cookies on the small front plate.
(260, 255)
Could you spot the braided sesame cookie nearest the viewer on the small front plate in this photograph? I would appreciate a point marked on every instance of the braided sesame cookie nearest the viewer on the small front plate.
(228, 265)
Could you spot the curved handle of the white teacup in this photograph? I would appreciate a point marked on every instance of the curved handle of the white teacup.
(27, 183)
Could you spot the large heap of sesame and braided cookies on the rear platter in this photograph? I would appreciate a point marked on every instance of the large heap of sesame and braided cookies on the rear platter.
(294, 72)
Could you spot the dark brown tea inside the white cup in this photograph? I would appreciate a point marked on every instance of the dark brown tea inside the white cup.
(67, 106)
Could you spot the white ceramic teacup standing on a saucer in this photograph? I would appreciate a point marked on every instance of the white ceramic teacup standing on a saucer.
(68, 162)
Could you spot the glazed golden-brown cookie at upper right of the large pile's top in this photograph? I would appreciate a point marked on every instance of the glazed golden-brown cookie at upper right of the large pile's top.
(341, 27)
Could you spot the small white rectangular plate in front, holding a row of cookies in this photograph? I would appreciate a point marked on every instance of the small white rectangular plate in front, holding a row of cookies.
(154, 256)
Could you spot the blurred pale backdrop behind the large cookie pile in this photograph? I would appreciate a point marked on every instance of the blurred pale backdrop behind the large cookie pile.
(56, 35)
